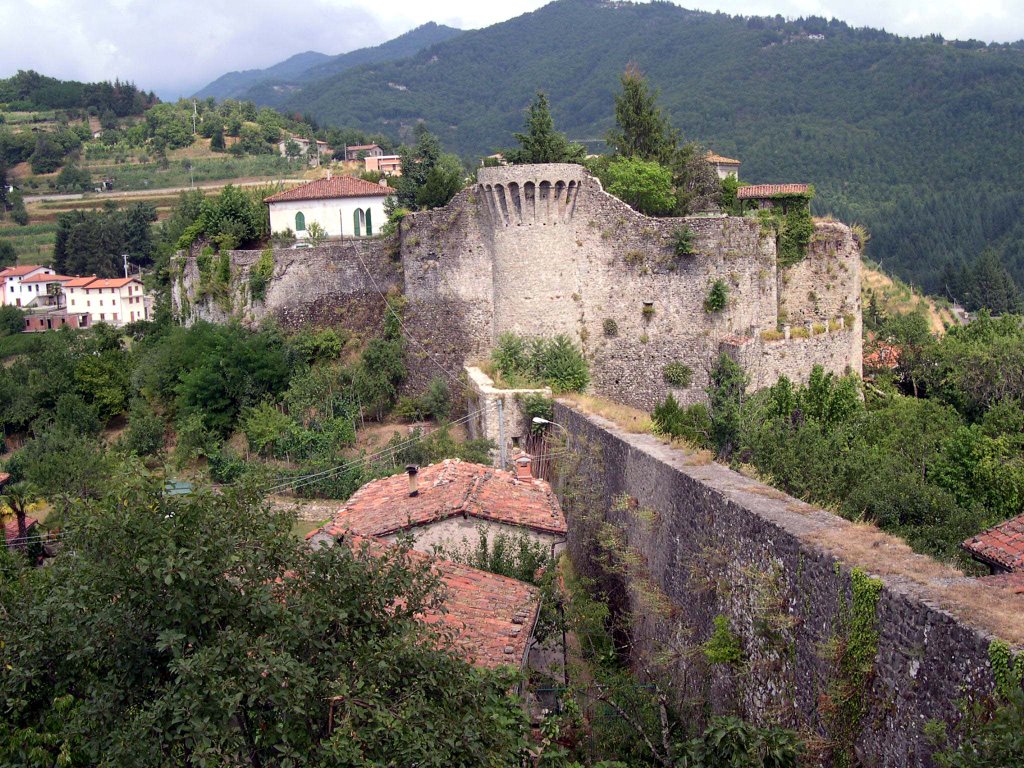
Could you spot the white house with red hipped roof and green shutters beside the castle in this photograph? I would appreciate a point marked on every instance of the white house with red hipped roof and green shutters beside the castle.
(345, 206)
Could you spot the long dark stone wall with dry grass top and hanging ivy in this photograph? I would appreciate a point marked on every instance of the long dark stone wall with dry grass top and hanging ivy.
(737, 606)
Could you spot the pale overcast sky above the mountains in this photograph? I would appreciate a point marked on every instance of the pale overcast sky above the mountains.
(177, 47)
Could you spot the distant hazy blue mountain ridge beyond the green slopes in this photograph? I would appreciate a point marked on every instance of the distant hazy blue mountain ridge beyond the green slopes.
(273, 87)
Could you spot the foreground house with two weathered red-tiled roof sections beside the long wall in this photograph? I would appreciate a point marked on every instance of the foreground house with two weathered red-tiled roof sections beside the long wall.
(493, 617)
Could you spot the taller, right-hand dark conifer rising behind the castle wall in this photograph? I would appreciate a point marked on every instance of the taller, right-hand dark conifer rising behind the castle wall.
(642, 131)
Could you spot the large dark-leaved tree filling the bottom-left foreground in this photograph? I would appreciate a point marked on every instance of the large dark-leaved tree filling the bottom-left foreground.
(197, 630)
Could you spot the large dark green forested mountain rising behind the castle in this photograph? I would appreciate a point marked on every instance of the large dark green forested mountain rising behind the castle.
(919, 140)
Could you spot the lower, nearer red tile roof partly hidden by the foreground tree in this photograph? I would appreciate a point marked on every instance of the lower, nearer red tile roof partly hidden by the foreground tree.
(492, 617)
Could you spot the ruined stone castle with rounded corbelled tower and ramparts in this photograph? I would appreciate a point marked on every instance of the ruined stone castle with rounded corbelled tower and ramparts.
(541, 250)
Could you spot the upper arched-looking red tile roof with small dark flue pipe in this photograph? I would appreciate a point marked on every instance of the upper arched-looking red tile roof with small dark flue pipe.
(452, 488)
